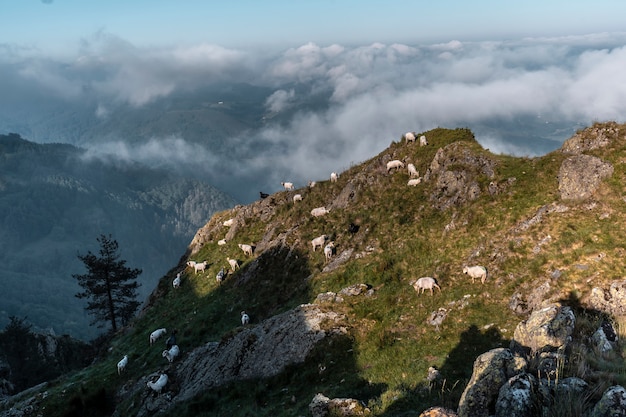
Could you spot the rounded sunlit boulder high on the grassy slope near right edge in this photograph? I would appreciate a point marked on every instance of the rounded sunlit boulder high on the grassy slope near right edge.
(580, 176)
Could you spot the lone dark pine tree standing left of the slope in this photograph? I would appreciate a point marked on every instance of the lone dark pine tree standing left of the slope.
(109, 284)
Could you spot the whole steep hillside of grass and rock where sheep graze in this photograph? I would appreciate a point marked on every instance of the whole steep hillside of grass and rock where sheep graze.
(546, 228)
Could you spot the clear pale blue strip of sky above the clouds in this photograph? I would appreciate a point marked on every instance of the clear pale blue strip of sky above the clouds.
(58, 25)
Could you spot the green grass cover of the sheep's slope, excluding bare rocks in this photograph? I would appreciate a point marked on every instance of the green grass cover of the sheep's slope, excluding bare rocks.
(384, 362)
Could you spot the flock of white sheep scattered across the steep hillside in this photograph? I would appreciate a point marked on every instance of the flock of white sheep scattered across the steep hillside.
(420, 285)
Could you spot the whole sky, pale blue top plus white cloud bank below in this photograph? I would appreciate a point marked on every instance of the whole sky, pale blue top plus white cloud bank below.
(386, 67)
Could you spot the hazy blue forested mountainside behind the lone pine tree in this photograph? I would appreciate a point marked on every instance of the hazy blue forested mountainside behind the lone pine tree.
(55, 202)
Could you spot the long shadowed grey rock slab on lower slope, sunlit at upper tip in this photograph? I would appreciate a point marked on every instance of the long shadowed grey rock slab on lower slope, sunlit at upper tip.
(254, 352)
